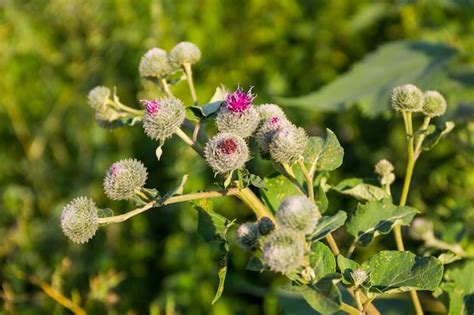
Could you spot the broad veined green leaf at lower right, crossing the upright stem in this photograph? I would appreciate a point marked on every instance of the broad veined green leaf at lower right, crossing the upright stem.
(395, 271)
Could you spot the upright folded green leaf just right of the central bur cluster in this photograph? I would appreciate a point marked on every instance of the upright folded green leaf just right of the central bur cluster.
(323, 154)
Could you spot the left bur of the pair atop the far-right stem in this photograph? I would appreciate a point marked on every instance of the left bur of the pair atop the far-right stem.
(406, 98)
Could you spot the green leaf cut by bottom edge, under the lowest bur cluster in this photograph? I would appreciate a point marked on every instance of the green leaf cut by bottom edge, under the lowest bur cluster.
(324, 296)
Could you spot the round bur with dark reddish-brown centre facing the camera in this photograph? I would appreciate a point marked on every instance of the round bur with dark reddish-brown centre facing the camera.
(226, 152)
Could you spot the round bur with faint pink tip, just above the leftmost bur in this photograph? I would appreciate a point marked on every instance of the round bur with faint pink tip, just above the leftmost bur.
(124, 179)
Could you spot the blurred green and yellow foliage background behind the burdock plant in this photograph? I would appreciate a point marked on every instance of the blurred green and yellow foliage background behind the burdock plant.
(53, 52)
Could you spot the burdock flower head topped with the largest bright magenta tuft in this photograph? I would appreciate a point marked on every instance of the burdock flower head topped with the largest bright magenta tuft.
(238, 116)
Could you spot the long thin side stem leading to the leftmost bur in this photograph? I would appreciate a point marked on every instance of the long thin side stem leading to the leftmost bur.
(171, 200)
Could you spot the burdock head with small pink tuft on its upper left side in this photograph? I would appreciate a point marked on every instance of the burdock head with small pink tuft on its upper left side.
(162, 117)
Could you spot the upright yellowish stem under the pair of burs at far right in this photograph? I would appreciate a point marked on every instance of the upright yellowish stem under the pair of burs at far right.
(407, 118)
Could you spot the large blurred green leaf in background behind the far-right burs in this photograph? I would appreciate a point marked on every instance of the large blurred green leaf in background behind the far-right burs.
(370, 81)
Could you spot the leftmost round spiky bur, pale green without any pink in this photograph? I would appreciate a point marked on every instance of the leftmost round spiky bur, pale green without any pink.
(79, 220)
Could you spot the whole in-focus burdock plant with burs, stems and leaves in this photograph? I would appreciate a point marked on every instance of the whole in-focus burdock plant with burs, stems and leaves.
(292, 234)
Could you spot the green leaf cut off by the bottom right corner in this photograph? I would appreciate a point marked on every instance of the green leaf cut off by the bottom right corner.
(459, 284)
